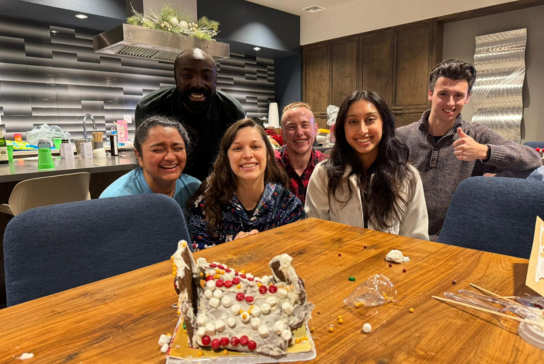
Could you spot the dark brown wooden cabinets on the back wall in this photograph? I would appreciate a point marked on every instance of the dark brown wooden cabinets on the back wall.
(394, 62)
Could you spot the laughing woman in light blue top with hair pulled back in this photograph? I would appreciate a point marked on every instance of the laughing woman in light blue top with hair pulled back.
(161, 148)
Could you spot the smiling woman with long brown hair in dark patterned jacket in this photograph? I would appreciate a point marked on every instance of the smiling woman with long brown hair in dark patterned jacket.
(245, 192)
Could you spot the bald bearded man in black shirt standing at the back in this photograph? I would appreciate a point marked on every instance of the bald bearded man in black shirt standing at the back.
(194, 101)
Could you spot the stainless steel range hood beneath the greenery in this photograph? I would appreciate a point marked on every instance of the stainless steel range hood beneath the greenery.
(137, 42)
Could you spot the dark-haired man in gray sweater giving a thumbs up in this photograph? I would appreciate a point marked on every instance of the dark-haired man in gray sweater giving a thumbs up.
(446, 149)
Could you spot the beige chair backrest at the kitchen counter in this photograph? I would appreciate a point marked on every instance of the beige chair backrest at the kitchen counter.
(43, 191)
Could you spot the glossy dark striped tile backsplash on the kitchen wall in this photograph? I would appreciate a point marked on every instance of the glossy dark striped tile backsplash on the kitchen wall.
(51, 75)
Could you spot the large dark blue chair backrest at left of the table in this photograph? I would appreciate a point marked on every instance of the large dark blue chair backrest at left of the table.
(53, 248)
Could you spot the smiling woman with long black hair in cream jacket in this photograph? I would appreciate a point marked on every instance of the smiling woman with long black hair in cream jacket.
(367, 181)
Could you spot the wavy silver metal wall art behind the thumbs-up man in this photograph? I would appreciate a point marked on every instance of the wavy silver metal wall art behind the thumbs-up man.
(497, 94)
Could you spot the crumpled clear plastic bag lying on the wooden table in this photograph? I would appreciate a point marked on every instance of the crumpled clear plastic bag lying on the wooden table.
(375, 291)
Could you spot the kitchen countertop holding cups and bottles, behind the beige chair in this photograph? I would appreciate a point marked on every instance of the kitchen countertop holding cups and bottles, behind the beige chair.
(26, 168)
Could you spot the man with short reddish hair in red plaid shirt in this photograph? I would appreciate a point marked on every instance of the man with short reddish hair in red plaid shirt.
(298, 158)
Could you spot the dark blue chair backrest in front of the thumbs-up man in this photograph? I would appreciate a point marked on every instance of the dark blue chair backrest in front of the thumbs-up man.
(494, 214)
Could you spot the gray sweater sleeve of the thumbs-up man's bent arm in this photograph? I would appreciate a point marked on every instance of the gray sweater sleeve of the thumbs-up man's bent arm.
(506, 155)
